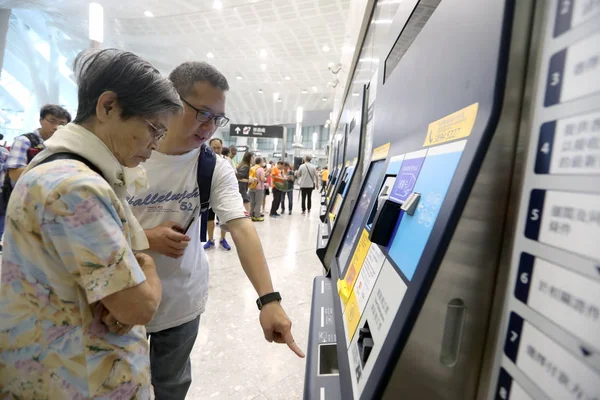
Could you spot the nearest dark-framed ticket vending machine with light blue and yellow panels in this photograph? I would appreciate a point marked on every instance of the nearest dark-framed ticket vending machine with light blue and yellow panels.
(407, 311)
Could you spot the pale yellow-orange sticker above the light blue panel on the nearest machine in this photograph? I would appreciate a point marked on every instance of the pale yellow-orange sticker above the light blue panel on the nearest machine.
(457, 125)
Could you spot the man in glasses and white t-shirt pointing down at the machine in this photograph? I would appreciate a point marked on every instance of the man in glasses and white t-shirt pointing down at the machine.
(168, 205)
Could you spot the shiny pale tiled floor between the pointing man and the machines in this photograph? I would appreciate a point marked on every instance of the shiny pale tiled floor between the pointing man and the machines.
(231, 359)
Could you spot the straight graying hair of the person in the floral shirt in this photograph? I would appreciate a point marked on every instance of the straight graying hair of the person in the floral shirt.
(140, 88)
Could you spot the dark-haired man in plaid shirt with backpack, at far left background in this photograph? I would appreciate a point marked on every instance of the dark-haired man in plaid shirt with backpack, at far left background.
(25, 147)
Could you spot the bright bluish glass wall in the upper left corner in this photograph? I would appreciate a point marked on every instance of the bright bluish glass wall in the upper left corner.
(35, 71)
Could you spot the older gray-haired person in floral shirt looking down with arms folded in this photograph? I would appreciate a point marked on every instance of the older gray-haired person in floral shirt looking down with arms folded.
(75, 297)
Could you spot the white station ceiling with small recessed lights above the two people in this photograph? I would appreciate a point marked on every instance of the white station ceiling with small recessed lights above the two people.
(292, 40)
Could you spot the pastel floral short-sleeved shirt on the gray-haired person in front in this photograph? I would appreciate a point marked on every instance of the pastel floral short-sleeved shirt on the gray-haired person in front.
(67, 247)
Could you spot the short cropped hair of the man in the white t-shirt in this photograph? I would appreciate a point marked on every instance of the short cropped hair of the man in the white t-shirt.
(187, 74)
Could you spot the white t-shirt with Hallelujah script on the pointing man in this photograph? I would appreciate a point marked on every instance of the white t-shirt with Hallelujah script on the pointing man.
(172, 196)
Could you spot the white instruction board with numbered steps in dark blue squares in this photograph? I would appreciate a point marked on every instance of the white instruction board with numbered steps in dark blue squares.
(548, 345)
